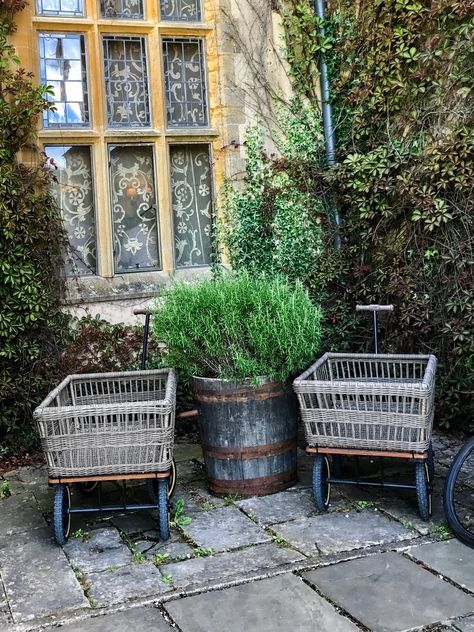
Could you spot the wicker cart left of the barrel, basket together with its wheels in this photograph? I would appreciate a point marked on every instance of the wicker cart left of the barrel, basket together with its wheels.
(107, 427)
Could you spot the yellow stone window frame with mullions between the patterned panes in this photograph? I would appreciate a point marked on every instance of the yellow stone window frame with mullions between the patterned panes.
(98, 136)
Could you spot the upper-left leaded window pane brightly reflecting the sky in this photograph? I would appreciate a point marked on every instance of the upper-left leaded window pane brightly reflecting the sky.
(63, 67)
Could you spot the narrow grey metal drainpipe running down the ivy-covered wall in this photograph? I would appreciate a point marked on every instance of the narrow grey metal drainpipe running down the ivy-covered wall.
(329, 133)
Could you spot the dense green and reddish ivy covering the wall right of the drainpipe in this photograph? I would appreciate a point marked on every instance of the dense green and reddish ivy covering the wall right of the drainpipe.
(402, 92)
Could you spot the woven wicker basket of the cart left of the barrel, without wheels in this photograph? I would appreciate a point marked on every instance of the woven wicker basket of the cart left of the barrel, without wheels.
(109, 423)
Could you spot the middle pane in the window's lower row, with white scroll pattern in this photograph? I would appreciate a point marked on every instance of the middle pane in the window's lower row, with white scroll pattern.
(134, 208)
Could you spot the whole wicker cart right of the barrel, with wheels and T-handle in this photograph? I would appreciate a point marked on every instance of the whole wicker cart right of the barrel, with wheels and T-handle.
(375, 405)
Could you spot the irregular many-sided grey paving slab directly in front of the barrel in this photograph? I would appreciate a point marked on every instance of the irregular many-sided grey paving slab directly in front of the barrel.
(225, 528)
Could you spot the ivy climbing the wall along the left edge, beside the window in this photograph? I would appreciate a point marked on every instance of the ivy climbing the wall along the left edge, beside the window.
(31, 242)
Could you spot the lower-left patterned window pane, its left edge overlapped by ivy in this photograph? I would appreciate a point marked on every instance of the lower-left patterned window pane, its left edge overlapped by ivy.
(74, 194)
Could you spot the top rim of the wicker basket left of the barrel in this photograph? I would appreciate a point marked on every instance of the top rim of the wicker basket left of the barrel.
(168, 400)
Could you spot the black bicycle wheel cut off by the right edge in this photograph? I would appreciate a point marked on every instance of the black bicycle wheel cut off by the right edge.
(458, 497)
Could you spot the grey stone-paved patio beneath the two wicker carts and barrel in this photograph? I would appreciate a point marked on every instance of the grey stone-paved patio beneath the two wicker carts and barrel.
(270, 564)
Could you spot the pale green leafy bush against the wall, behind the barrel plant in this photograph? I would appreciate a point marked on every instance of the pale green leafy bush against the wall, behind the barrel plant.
(273, 223)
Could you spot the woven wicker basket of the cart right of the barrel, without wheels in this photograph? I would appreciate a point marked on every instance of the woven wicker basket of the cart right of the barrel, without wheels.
(373, 402)
